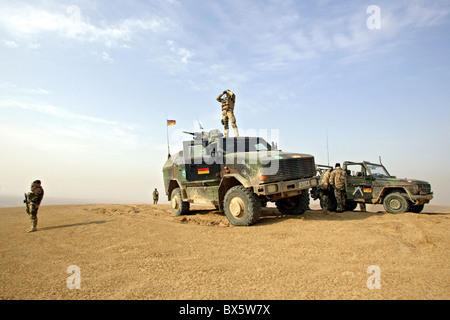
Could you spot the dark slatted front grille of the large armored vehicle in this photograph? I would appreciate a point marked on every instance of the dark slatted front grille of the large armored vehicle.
(290, 169)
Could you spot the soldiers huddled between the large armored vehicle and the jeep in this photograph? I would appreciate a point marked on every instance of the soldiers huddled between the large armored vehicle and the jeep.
(334, 181)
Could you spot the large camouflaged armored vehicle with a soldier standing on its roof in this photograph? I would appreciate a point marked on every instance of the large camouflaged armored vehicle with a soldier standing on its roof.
(238, 176)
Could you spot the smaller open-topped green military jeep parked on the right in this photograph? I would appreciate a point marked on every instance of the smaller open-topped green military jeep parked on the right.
(371, 183)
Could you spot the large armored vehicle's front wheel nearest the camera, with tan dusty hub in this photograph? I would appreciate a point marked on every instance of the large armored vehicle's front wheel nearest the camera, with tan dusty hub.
(242, 207)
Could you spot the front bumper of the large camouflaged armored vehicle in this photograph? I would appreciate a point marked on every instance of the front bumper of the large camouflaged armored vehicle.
(285, 188)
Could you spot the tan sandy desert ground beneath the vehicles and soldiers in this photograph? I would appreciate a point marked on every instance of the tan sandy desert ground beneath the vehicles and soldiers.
(144, 252)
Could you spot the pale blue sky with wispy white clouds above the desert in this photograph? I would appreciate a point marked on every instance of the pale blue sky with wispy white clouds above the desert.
(85, 86)
